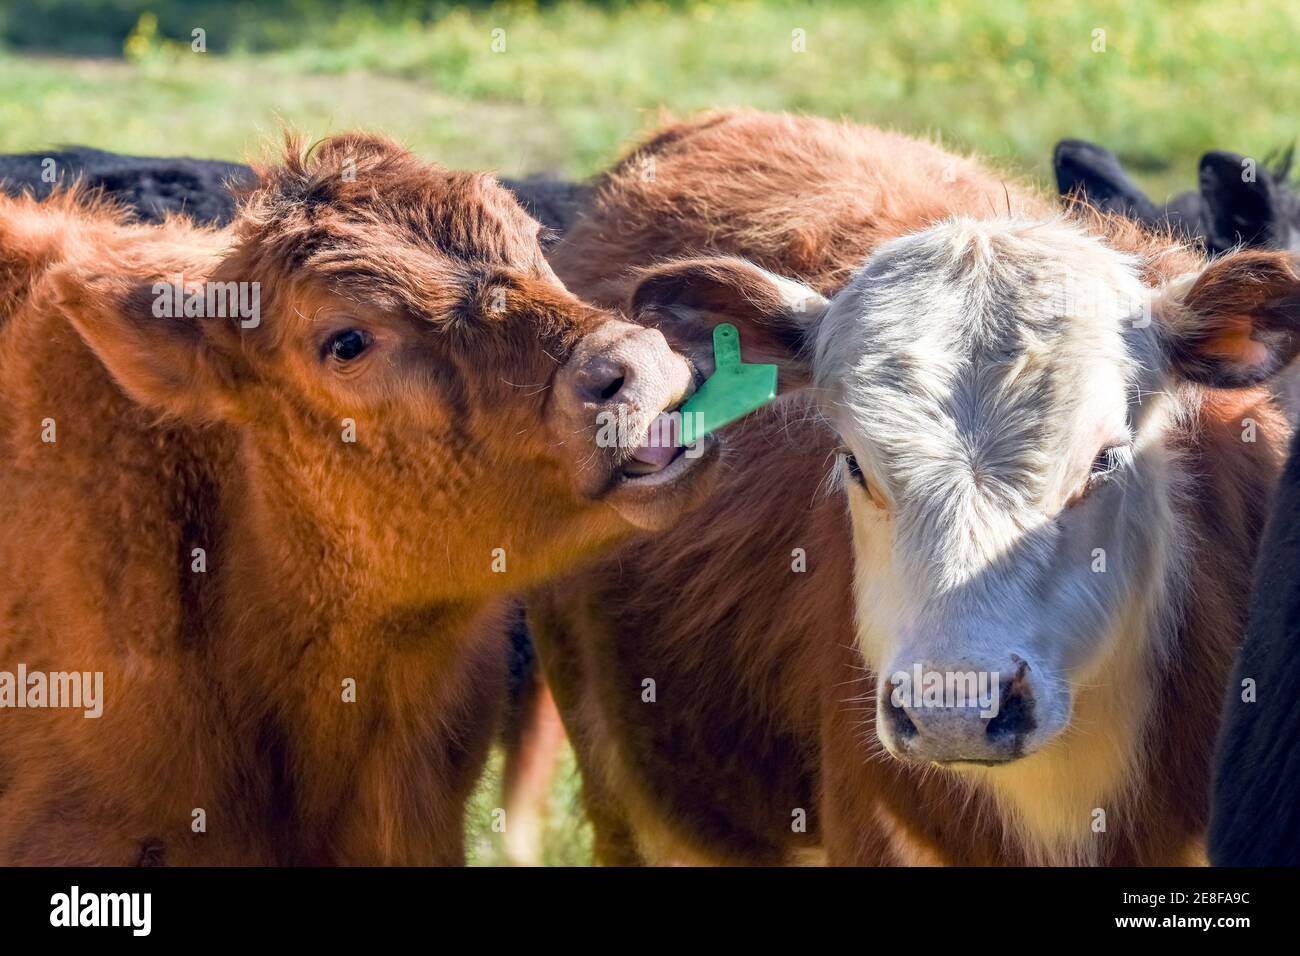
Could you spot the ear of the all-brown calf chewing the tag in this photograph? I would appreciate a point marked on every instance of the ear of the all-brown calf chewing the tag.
(183, 367)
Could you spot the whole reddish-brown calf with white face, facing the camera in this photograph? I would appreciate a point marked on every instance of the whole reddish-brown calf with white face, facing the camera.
(1045, 486)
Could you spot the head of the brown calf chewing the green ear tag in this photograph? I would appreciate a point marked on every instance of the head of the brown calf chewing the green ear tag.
(411, 379)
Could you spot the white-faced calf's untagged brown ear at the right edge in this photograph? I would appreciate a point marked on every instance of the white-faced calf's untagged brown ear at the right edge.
(1238, 323)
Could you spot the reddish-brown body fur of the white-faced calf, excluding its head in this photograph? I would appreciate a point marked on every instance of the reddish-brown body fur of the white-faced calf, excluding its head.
(762, 706)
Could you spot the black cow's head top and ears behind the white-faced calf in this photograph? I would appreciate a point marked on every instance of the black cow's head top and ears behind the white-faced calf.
(1229, 209)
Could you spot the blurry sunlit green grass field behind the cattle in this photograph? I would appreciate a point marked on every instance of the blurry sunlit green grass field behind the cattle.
(577, 80)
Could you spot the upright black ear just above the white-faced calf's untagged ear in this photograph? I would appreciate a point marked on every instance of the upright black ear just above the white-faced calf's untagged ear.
(1241, 204)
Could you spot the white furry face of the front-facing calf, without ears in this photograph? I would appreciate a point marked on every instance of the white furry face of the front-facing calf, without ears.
(999, 387)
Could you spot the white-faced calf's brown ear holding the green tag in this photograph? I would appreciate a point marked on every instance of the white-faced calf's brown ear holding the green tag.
(686, 300)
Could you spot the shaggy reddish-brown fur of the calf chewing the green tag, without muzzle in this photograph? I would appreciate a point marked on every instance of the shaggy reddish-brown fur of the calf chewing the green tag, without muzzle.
(327, 561)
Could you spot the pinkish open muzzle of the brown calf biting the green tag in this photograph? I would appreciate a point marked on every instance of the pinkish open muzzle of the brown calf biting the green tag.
(612, 418)
